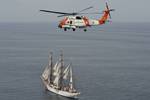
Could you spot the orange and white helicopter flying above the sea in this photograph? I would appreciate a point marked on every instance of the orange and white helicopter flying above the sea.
(75, 20)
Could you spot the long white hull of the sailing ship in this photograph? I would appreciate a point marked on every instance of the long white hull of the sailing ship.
(60, 92)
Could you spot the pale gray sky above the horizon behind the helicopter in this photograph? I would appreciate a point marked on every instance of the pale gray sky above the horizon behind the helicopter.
(28, 10)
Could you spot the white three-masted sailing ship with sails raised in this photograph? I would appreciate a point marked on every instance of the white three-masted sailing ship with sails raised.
(59, 79)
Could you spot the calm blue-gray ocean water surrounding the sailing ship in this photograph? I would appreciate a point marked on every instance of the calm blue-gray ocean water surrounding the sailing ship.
(110, 62)
